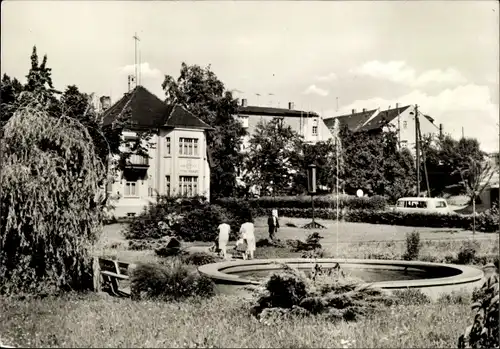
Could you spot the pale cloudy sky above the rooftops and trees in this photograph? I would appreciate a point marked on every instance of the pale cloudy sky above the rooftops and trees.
(328, 57)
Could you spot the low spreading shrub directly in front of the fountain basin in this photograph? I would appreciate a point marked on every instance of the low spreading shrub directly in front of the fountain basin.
(327, 292)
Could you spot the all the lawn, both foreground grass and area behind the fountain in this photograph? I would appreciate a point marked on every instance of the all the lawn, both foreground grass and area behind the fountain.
(97, 320)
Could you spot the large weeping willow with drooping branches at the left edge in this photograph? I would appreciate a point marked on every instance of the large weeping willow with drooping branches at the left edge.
(51, 203)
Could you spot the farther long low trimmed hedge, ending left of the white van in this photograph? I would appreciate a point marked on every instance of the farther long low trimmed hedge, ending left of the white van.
(304, 202)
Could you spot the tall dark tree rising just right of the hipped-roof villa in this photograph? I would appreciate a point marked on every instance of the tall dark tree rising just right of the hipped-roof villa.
(202, 93)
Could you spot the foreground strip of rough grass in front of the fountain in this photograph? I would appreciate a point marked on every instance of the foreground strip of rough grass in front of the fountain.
(94, 321)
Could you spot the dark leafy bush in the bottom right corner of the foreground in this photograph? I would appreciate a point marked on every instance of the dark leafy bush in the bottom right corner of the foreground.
(483, 333)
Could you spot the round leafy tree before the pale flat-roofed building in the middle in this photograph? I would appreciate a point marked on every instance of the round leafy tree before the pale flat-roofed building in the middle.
(274, 157)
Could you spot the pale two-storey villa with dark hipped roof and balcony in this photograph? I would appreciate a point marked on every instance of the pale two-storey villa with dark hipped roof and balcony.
(178, 156)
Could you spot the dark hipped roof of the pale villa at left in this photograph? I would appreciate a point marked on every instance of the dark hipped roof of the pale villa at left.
(147, 110)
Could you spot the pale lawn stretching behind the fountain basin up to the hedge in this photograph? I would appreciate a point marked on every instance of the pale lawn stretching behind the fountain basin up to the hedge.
(355, 240)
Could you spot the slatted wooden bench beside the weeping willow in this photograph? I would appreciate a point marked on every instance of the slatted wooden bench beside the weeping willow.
(112, 272)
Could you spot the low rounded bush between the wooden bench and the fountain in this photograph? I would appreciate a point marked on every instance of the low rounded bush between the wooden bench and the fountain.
(169, 281)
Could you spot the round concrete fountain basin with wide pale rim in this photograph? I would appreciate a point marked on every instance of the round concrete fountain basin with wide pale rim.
(433, 279)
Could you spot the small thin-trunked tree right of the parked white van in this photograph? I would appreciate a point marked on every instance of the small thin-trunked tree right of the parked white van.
(475, 177)
